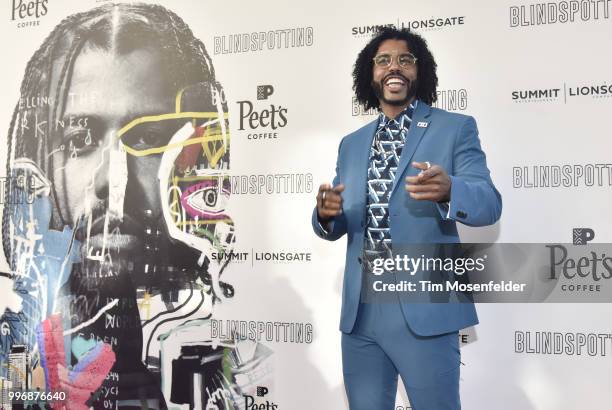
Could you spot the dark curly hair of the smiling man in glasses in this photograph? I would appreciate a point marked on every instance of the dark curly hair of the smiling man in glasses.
(426, 67)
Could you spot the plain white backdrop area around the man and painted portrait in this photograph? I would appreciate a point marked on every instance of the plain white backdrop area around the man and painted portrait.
(484, 55)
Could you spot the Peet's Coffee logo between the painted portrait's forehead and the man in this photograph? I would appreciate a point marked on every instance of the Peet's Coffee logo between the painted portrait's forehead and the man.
(264, 120)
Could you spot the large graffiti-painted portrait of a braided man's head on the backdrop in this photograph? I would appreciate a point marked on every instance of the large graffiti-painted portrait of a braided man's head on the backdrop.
(123, 165)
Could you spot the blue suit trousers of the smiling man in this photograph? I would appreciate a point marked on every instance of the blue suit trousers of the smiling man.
(381, 346)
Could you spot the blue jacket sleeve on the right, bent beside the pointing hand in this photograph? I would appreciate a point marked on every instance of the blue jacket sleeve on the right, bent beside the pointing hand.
(474, 199)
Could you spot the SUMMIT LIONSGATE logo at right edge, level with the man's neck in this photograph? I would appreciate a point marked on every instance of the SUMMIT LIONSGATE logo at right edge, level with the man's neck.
(564, 93)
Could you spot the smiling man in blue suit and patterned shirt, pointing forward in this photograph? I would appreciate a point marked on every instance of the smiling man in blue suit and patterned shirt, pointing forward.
(406, 178)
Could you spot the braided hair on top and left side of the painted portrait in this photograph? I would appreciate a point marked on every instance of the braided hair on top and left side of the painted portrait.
(48, 74)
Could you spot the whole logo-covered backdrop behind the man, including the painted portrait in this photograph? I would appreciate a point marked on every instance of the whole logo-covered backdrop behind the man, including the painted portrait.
(163, 161)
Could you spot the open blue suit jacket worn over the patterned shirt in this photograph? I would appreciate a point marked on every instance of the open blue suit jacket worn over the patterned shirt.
(446, 139)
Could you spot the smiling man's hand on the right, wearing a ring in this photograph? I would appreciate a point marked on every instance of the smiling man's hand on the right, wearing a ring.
(431, 184)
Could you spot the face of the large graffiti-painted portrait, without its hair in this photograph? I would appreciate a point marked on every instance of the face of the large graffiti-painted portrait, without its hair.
(144, 176)
